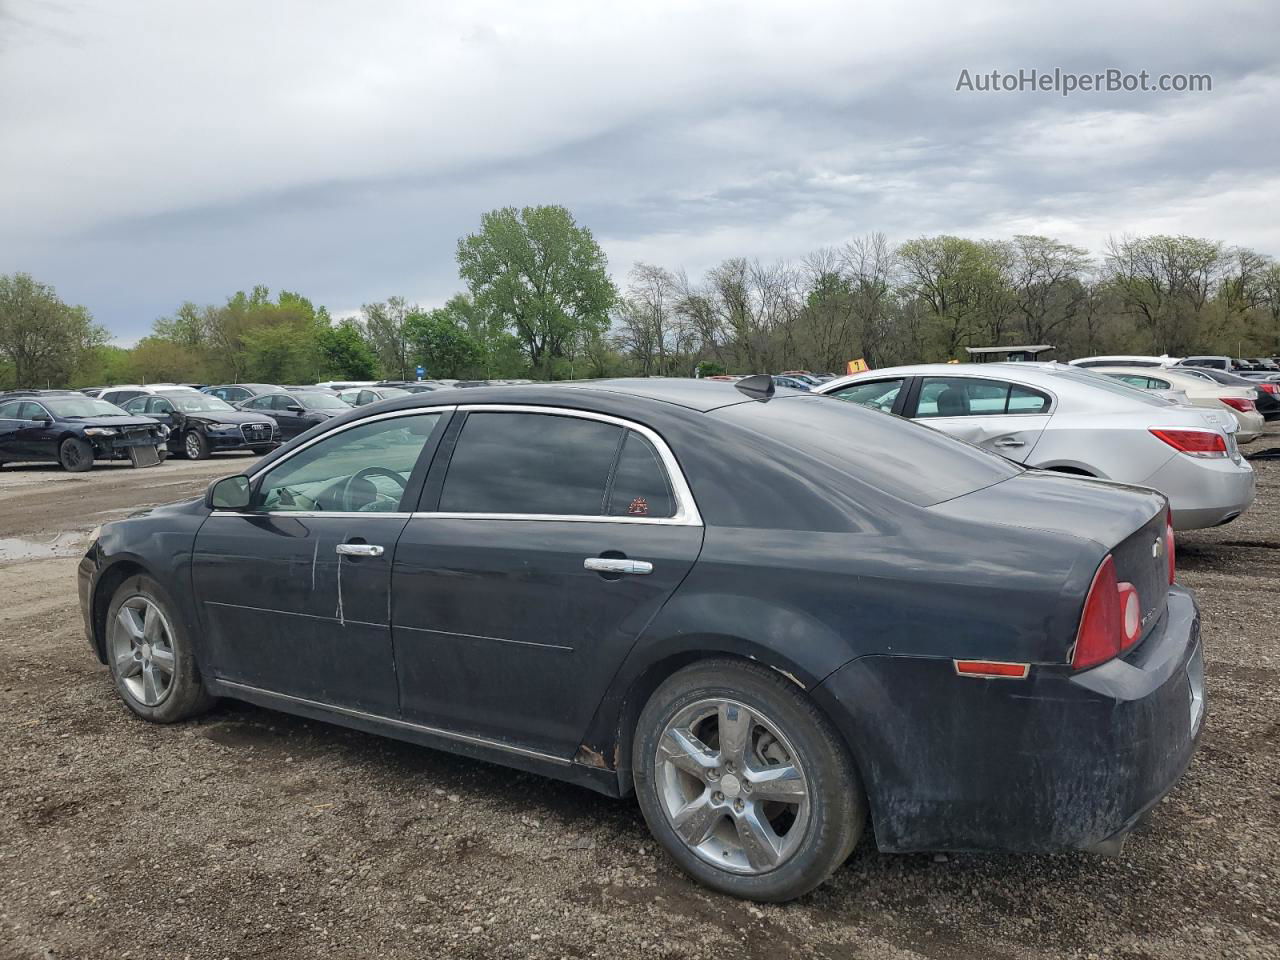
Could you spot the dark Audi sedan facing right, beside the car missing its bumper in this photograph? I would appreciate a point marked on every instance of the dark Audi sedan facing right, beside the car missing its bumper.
(202, 426)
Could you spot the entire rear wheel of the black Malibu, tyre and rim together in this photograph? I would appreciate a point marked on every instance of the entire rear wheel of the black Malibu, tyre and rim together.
(806, 836)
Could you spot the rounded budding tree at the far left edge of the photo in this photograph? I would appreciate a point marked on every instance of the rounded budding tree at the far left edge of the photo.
(44, 339)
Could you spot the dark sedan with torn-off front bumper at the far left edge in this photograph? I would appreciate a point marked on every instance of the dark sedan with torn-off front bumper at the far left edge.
(75, 431)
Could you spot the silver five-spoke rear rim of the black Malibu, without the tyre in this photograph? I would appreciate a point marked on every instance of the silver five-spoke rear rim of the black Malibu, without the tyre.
(732, 787)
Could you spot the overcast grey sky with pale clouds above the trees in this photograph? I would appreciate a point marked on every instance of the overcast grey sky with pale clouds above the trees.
(153, 153)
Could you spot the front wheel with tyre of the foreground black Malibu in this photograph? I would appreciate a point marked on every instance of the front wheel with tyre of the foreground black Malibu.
(150, 655)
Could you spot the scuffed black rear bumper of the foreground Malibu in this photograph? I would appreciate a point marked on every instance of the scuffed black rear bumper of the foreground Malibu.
(1057, 762)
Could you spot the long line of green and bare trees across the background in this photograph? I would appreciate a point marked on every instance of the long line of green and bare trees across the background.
(540, 303)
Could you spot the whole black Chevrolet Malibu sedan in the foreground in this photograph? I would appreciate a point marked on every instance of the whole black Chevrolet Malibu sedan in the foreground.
(772, 618)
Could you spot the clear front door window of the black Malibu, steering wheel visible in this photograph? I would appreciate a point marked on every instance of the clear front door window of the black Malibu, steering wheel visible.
(362, 470)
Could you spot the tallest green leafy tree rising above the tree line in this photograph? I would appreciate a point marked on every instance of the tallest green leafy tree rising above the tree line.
(541, 275)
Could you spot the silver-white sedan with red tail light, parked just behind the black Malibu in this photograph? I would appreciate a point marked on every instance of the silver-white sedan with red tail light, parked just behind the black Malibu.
(1055, 418)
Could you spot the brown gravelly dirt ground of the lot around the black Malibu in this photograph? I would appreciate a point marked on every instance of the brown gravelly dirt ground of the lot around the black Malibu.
(250, 834)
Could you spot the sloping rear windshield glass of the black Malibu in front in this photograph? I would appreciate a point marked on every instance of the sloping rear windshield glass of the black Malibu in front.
(909, 461)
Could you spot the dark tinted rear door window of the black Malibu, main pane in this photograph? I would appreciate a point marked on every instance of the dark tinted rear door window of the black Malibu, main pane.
(531, 464)
